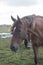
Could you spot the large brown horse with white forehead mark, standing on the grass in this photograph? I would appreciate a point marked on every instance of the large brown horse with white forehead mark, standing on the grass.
(28, 27)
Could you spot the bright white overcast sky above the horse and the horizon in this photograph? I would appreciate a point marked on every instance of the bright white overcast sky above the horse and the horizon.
(19, 7)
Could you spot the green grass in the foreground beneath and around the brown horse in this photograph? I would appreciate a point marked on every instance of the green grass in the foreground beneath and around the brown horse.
(21, 57)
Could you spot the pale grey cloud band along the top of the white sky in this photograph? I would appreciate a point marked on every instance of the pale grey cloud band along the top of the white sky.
(19, 2)
